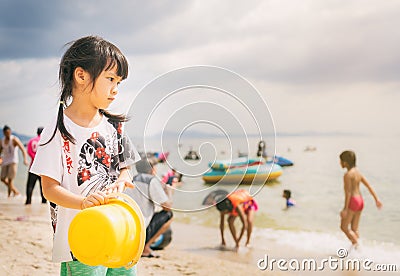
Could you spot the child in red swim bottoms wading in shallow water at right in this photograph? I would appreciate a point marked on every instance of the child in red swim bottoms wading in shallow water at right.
(353, 203)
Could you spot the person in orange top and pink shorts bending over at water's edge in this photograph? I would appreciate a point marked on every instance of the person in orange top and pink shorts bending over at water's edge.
(238, 204)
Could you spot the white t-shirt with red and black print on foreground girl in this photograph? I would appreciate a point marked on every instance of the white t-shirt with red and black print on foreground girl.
(91, 164)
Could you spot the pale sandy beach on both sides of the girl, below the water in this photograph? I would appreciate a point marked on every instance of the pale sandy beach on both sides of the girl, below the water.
(194, 249)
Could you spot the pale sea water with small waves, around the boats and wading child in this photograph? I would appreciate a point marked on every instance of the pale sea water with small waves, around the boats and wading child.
(316, 182)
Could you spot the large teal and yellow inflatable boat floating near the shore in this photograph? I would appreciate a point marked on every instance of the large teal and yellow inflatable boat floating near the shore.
(242, 171)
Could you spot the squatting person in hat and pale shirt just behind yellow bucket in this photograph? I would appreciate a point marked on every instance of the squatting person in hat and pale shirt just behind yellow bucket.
(148, 193)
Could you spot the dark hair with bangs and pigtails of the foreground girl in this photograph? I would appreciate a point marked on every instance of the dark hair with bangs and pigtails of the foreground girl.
(94, 55)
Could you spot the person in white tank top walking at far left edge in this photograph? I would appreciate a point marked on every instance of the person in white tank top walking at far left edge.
(9, 149)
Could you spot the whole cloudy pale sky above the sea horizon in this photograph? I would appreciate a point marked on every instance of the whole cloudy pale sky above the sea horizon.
(323, 67)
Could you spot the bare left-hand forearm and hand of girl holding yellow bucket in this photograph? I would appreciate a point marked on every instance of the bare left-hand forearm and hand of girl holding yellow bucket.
(54, 192)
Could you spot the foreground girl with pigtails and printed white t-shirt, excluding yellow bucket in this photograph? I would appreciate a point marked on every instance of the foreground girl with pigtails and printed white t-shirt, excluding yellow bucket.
(83, 155)
